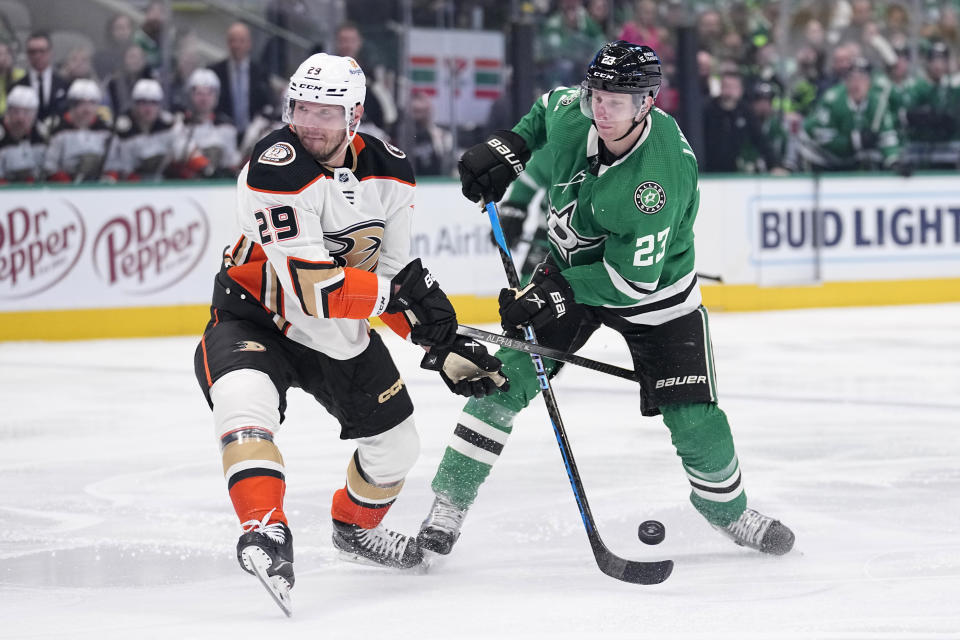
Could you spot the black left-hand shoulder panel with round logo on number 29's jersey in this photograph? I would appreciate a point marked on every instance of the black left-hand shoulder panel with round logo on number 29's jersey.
(280, 164)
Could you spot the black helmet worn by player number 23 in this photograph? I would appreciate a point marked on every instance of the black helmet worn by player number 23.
(624, 67)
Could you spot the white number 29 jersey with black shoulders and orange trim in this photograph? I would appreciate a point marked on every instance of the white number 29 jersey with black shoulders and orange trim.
(320, 245)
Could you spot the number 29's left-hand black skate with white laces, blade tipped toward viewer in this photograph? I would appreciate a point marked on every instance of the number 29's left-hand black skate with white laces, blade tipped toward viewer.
(266, 551)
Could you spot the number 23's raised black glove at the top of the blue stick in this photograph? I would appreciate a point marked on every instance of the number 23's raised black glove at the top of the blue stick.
(488, 168)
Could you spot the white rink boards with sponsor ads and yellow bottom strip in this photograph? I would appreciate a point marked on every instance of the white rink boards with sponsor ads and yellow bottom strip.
(138, 260)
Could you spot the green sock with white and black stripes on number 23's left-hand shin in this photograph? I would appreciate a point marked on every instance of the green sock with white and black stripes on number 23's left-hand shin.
(481, 432)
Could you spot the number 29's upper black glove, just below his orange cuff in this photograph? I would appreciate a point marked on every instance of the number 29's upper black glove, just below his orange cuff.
(417, 294)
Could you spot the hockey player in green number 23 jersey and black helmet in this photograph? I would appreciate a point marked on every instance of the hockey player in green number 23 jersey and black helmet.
(623, 198)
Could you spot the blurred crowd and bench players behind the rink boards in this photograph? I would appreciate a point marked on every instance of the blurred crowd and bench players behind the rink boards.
(811, 85)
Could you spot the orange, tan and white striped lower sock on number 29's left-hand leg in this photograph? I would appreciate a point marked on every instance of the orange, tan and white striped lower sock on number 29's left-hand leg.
(253, 469)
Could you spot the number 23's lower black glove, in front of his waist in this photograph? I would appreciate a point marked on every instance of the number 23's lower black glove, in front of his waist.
(545, 300)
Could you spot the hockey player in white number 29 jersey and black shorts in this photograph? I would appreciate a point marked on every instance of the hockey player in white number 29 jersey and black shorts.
(325, 215)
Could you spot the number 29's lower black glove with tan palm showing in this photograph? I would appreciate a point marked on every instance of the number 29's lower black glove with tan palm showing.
(467, 368)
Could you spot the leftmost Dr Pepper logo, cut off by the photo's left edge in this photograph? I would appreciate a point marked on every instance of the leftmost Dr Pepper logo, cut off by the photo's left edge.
(38, 247)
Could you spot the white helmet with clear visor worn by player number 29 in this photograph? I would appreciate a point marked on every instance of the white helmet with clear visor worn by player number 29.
(330, 80)
